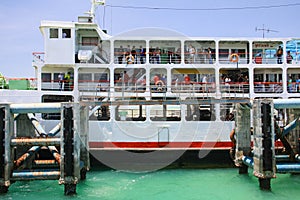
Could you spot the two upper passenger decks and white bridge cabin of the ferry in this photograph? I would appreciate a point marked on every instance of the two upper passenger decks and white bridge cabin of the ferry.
(163, 61)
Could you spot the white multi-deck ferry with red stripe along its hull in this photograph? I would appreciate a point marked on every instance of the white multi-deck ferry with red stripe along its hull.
(152, 89)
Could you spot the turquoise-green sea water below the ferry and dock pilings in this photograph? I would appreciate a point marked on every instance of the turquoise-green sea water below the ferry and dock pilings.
(163, 184)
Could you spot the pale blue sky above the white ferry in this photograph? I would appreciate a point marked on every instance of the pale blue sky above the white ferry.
(20, 21)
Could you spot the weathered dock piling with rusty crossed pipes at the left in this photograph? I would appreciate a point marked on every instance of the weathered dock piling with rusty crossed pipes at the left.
(28, 152)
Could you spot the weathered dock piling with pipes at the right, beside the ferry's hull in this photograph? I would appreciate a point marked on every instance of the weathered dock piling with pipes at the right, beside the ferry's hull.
(262, 152)
